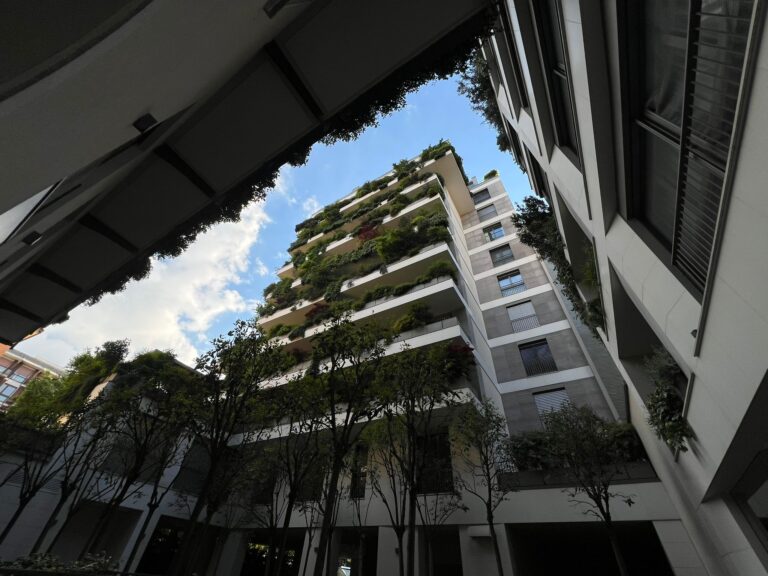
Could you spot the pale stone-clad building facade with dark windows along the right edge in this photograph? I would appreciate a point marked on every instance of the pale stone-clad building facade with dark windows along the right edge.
(709, 316)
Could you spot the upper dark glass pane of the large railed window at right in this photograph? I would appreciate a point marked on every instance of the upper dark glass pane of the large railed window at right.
(664, 36)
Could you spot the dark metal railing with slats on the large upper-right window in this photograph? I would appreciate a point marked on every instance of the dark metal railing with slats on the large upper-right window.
(717, 48)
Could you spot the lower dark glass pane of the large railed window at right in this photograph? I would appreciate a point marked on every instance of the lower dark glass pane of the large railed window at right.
(657, 172)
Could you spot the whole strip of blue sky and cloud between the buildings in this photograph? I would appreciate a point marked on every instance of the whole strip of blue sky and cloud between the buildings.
(186, 301)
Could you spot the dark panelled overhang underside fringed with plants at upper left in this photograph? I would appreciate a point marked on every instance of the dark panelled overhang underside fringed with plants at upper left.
(124, 194)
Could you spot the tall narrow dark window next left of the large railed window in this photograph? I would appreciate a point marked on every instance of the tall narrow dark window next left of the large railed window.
(553, 51)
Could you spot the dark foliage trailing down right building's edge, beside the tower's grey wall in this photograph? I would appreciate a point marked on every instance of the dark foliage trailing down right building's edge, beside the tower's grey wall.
(537, 227)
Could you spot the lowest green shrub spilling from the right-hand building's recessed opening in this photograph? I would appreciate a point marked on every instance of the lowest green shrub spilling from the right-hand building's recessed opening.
(665, 405)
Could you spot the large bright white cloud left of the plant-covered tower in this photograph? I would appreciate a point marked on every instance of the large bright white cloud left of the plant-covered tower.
(174, 306)
